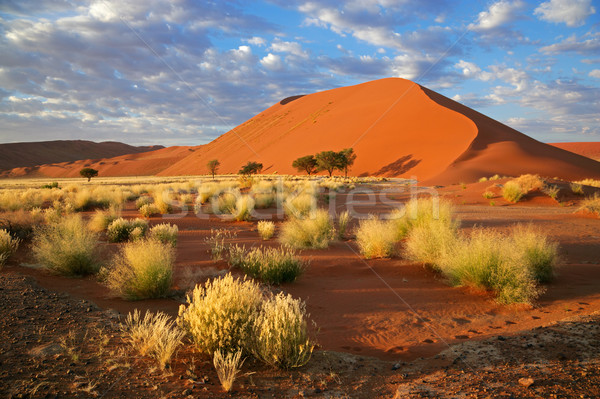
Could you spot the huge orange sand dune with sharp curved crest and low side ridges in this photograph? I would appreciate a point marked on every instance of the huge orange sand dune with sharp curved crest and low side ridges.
(396, 127)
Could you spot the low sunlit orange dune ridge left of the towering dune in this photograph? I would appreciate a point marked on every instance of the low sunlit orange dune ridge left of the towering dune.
(141, 164)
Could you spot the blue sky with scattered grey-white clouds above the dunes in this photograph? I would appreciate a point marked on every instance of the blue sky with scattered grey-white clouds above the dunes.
(182, 72)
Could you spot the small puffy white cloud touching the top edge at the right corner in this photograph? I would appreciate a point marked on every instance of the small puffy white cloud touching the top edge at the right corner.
(570, 12)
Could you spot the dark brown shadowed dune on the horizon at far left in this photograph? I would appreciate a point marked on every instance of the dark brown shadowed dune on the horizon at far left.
(16, 155)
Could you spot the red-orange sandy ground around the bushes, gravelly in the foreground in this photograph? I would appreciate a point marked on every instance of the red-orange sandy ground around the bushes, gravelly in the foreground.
(386, 327)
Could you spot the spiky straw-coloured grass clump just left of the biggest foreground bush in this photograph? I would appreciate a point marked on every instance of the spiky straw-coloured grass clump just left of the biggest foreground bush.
(154, 335)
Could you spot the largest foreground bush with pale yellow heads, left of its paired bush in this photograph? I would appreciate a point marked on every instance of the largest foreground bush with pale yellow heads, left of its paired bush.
(220, 315)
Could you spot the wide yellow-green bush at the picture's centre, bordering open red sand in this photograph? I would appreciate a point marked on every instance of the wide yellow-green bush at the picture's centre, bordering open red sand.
(315, 232)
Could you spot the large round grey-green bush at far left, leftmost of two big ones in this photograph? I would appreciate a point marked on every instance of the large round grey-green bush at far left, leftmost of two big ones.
(67, 247)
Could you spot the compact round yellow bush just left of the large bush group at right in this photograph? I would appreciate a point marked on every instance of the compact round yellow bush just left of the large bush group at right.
(376, 238)
